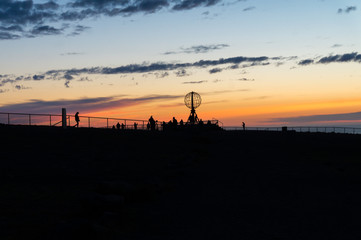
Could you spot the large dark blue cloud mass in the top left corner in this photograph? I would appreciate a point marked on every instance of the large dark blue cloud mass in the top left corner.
(36, 19)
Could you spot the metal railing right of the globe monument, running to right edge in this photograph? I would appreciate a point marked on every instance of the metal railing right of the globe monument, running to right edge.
(313, 129)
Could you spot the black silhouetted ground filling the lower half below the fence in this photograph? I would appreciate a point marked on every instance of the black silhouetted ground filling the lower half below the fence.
(105, 184)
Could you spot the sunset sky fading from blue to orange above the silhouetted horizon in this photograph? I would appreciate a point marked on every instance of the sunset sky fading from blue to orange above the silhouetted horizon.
(266, 63)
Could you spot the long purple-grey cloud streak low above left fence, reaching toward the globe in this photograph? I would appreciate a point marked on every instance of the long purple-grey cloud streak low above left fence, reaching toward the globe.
(82, 105)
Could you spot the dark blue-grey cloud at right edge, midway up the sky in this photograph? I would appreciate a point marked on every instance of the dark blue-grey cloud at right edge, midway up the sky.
(338, 58)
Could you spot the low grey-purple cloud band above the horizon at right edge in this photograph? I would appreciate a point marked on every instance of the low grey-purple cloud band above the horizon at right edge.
(355, 116)
